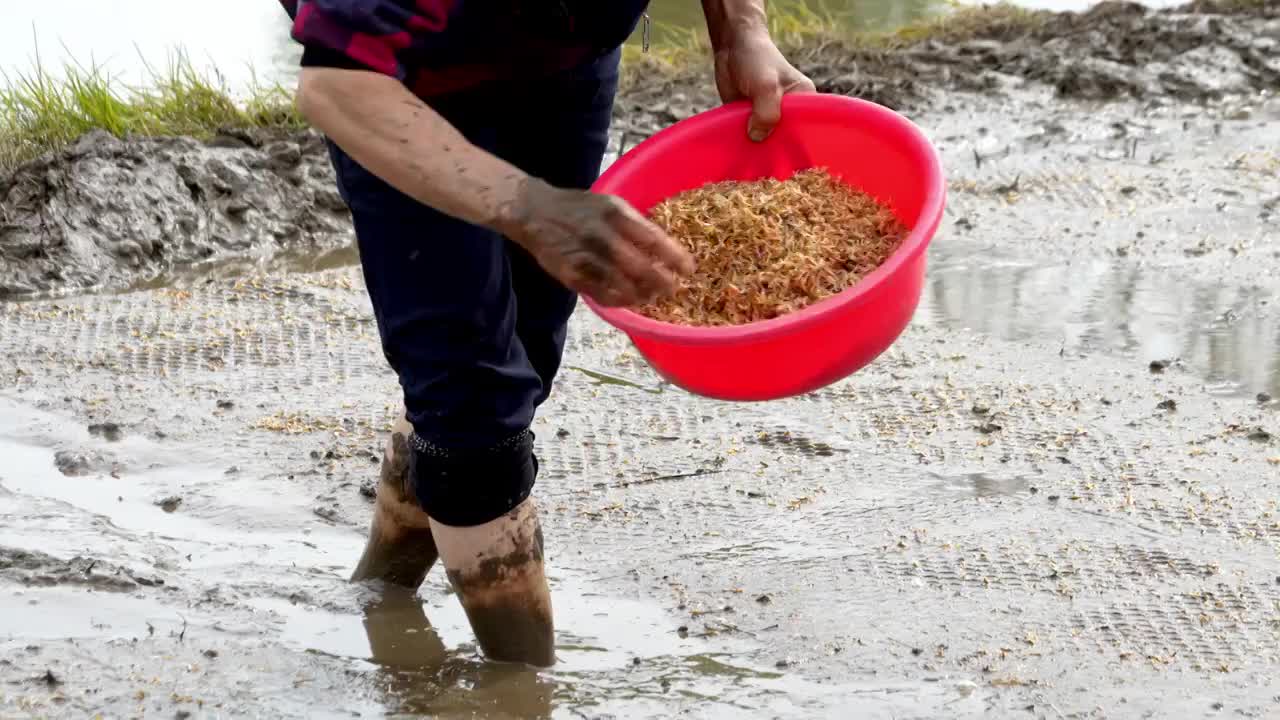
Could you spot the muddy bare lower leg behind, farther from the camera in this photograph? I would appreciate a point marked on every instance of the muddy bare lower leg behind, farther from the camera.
(401, 549)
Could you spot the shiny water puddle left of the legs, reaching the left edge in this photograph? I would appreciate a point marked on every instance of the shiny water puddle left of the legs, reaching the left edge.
(156, 500)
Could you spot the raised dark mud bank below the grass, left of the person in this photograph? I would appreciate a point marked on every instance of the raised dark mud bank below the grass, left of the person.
(109, 215)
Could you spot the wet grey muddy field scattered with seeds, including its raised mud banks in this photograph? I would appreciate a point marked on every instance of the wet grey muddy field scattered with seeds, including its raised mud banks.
(1057, 496)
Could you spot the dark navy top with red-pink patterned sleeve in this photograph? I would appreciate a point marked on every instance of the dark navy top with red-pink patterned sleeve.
(438, 47)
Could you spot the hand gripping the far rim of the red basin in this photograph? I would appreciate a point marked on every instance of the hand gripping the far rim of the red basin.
(752, 67)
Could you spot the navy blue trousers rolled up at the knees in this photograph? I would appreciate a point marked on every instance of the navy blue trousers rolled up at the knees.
(470, 323)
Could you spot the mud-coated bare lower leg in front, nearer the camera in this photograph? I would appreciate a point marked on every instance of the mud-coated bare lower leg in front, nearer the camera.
(497, 571)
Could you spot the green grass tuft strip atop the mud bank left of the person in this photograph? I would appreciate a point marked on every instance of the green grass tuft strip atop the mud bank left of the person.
(42, 112)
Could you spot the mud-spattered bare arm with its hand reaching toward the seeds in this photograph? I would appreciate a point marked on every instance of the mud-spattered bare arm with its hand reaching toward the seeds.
(593, 244)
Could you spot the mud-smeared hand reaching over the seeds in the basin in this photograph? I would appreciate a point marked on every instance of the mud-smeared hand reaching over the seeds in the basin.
(595, 244)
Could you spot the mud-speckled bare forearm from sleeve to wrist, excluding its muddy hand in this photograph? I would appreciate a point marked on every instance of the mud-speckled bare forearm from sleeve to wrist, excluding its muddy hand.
(392, 134)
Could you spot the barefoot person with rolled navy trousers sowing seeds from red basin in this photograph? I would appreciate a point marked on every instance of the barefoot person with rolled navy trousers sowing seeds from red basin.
(465, 136)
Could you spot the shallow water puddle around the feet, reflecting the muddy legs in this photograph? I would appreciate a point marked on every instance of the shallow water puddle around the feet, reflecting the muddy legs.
(616, 658)
